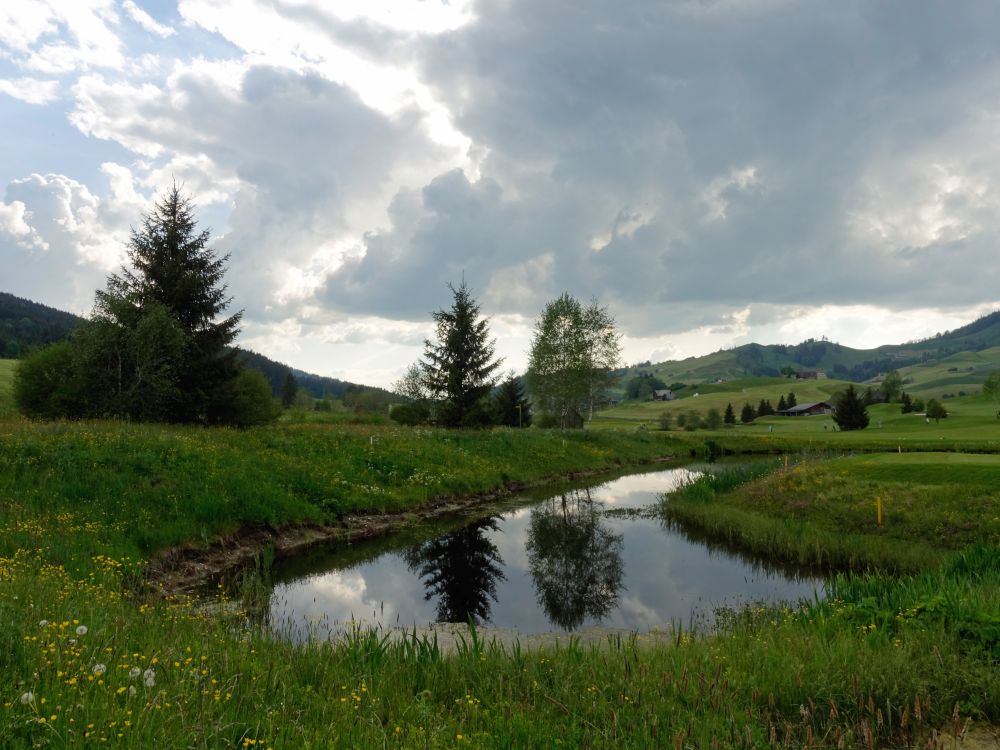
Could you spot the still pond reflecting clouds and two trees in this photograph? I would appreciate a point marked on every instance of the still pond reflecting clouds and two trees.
(567, 559)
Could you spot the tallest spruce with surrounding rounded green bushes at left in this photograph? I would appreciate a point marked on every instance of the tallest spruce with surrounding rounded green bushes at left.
(157, 346)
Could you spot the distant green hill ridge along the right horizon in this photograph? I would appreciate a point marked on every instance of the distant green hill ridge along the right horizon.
(837, 360)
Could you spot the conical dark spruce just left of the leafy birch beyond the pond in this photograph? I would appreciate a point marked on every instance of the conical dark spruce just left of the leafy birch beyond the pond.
(459, 366)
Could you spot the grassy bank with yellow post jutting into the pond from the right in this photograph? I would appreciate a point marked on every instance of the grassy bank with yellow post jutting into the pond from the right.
(889, 512)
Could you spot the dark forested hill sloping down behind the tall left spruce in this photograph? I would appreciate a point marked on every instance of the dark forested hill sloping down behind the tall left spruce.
(25, 325)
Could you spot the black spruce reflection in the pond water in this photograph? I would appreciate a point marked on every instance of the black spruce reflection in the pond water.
(461, 569)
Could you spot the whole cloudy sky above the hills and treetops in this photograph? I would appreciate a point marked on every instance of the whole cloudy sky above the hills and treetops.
(715, 172)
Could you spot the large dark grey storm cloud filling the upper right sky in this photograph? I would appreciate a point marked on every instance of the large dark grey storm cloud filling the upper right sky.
(764, 152)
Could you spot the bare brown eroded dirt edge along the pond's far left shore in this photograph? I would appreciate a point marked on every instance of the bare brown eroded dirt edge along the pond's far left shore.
(181, 569)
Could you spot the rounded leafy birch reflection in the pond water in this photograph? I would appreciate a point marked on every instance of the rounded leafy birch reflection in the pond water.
(575, 561)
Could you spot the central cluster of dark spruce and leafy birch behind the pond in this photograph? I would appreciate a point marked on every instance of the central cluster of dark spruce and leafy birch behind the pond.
(574, 350)
